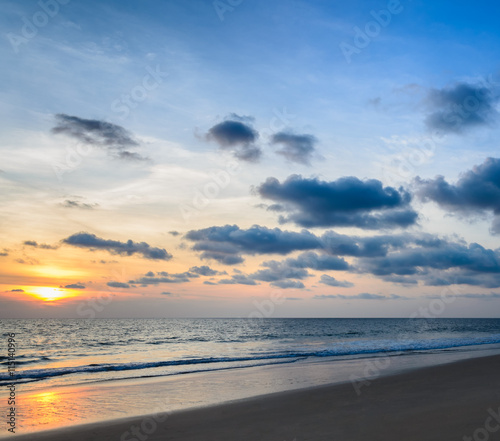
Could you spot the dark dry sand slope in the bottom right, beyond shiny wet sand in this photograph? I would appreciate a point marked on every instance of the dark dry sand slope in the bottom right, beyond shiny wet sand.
(456, 401)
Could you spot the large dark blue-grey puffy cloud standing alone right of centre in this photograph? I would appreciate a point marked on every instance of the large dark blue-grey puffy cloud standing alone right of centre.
(346, 202)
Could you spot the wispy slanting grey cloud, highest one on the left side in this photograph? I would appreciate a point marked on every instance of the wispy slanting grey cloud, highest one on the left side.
(111, 137)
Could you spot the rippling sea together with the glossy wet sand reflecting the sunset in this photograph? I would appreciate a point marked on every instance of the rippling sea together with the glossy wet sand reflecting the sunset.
(62, 366)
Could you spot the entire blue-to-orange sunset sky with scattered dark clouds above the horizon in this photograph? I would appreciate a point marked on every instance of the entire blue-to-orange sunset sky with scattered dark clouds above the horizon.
(238, 158)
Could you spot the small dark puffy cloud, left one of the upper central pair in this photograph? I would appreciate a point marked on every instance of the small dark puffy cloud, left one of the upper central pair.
(237, 135)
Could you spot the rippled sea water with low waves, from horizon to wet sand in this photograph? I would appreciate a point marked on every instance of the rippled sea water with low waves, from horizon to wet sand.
(79, 351)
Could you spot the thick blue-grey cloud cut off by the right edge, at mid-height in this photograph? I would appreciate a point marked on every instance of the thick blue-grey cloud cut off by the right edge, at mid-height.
(476, 191)
